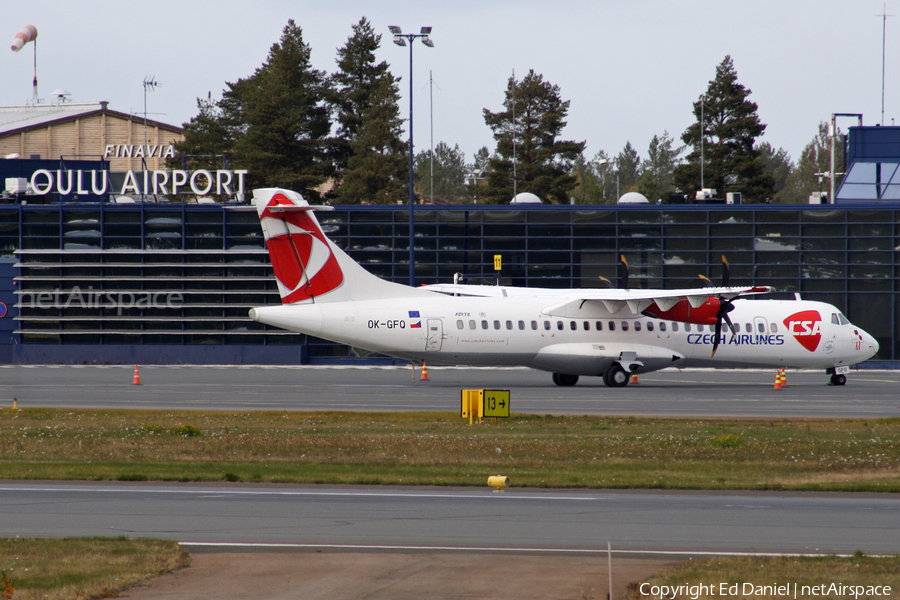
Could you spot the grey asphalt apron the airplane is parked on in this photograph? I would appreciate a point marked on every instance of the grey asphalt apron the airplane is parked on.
(670, 392)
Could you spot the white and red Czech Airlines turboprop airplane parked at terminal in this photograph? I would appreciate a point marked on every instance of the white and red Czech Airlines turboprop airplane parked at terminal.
(608, 333)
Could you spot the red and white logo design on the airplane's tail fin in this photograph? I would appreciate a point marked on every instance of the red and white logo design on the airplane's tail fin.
(301, 257)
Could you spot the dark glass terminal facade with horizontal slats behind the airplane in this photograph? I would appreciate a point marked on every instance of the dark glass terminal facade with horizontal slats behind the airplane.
(185, 275)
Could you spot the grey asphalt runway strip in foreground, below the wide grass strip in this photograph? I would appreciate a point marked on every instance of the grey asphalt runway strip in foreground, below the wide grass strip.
(417, 519)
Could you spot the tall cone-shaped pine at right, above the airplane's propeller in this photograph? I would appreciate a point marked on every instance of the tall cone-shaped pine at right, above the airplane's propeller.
(729, 130)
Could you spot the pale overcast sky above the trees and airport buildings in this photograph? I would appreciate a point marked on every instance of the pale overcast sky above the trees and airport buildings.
(631, 70)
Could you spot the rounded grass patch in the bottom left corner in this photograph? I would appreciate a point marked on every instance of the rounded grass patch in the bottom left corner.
(56, 569)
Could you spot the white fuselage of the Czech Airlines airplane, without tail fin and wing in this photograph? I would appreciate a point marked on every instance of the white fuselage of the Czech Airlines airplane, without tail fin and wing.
(578, 340)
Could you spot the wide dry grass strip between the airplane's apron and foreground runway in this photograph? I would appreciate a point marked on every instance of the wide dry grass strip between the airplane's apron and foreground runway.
(442, 449)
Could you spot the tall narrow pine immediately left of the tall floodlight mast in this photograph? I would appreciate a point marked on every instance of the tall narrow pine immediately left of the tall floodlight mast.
(368, 152)
